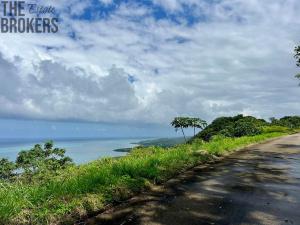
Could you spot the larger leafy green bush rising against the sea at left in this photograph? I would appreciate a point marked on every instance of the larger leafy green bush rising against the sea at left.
(39, 159)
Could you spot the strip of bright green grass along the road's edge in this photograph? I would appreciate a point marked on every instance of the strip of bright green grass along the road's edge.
(79, 191)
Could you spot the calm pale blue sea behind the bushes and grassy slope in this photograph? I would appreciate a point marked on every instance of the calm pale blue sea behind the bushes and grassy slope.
(80, 150)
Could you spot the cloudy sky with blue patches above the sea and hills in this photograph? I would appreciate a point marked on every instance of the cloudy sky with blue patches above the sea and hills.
(126, 68)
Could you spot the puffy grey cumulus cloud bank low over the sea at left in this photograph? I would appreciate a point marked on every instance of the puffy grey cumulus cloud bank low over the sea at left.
(58, 93)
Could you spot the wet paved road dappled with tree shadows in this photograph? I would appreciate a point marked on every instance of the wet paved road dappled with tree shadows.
(259, 185)
